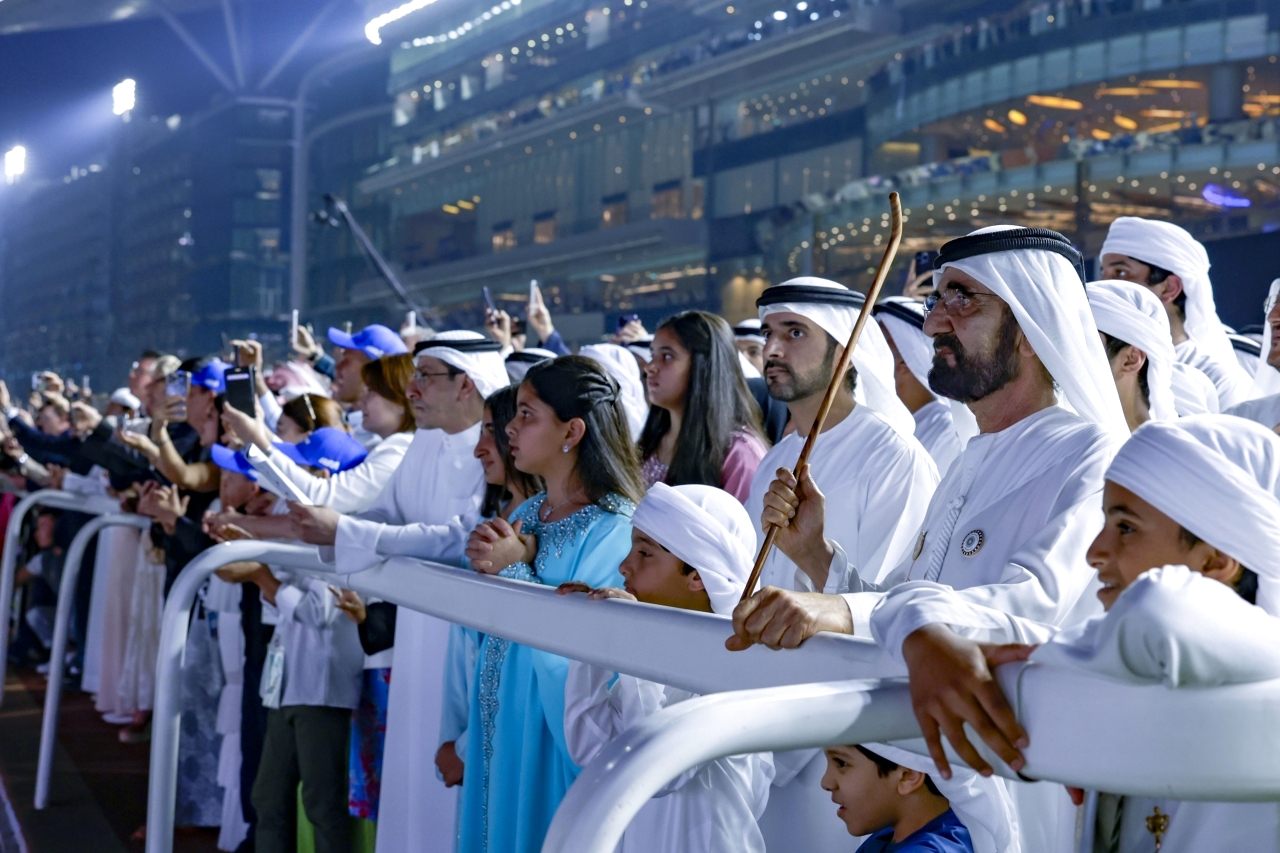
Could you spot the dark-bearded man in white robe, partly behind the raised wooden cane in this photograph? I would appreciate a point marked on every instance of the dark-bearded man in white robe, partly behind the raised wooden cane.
(877, 478)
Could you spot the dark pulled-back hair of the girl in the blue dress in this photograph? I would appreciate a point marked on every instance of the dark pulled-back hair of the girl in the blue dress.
(607, 459)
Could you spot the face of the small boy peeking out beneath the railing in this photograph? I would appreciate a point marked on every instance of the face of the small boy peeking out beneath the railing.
(868, 802)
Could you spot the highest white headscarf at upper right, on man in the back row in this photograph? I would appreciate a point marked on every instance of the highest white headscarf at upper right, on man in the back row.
(1165, 245)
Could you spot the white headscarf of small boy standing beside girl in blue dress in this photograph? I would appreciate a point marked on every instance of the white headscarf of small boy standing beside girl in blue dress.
(708, 530)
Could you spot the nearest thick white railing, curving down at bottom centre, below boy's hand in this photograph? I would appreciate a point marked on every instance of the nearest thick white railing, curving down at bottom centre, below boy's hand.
(1085, 731)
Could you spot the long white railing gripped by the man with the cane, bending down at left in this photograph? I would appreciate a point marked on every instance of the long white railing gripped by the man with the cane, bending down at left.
(678, 647)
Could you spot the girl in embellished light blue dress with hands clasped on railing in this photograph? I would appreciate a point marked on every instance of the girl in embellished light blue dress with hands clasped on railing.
(570, 431)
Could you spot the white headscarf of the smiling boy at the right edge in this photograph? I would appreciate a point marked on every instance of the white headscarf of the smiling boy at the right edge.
(1219, 477)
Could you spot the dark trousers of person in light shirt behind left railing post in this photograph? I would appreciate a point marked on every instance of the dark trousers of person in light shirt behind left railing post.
(312, 745)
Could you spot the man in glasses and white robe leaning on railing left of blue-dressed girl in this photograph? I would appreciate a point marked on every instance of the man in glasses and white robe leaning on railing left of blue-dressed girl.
(427, 510)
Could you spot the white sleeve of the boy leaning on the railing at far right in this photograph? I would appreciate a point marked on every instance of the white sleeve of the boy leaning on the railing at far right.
(1177, 628)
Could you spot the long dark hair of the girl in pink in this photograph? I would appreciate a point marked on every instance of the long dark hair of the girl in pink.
(717, 403)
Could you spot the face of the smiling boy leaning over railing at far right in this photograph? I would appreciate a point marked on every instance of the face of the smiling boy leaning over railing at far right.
(1139, 537)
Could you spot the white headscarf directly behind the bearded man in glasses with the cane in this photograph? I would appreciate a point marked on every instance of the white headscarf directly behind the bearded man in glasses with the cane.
(1133, 314)
